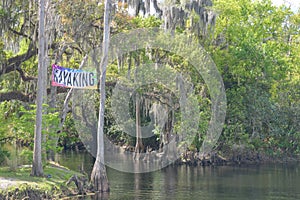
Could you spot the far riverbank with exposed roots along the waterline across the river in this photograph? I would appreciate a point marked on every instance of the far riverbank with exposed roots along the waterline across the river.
(229, 156)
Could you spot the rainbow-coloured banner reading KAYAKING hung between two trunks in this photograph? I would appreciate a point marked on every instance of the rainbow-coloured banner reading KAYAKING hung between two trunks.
(73, 78)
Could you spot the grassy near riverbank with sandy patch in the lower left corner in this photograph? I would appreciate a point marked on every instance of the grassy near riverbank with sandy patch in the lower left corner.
(18, 184)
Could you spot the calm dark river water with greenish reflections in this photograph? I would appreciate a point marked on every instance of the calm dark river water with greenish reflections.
(184, 182)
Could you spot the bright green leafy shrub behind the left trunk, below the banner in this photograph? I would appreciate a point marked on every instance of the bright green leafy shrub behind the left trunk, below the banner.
(20, 119)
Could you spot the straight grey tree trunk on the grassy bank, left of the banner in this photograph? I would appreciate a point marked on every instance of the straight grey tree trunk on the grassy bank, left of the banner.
(37, 167)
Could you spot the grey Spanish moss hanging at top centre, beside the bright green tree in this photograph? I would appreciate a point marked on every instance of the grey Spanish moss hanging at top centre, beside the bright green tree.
(197, 16)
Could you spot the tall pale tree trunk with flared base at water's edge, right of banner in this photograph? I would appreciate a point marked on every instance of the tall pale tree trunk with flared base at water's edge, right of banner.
(98, 176)
